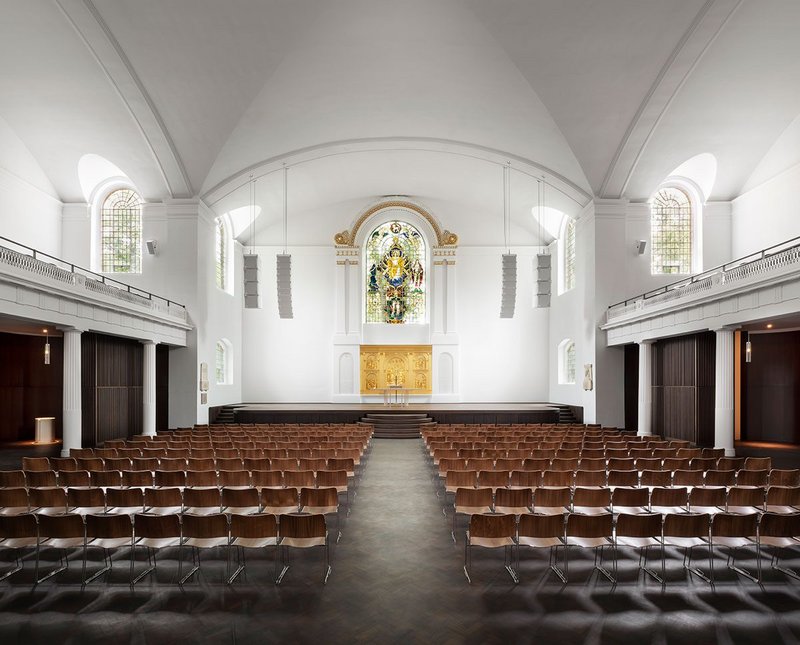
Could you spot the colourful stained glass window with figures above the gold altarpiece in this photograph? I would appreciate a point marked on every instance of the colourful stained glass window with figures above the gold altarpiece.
(395, 275)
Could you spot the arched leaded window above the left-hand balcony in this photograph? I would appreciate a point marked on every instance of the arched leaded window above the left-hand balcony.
(121, 232)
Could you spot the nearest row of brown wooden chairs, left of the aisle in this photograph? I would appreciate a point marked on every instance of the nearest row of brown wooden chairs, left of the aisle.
(156, 532)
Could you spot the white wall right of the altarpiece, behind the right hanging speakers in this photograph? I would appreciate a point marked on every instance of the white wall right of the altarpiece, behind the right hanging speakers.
(500, 359)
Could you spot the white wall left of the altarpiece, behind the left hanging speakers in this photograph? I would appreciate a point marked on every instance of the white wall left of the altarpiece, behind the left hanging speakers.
(290, 360)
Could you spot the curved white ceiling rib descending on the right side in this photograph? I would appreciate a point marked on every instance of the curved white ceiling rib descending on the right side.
(705, 28)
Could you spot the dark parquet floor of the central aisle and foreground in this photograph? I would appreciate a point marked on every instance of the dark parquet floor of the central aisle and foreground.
(397, 578)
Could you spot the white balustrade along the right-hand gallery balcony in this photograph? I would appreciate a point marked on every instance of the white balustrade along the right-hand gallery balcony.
(769, 262)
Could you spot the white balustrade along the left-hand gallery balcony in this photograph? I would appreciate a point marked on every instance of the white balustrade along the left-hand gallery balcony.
(79, 278)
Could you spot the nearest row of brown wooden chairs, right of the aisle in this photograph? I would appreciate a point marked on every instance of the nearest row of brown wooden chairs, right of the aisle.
(640, 531)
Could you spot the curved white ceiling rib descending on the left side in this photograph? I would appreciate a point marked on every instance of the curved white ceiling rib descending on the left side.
(98, 38)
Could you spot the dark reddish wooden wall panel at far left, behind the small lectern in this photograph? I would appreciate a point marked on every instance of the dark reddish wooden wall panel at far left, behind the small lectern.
(28, 387)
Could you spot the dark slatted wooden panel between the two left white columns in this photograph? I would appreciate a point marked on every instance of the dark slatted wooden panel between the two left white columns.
(112, 374)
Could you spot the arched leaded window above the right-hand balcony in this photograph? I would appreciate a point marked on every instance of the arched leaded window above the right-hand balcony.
(671, 232)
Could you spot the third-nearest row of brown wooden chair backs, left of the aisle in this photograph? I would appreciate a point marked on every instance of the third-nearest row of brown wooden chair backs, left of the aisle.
(190, 478)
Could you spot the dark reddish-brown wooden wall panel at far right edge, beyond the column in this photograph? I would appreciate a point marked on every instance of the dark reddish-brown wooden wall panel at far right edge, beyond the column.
(771, 389)
